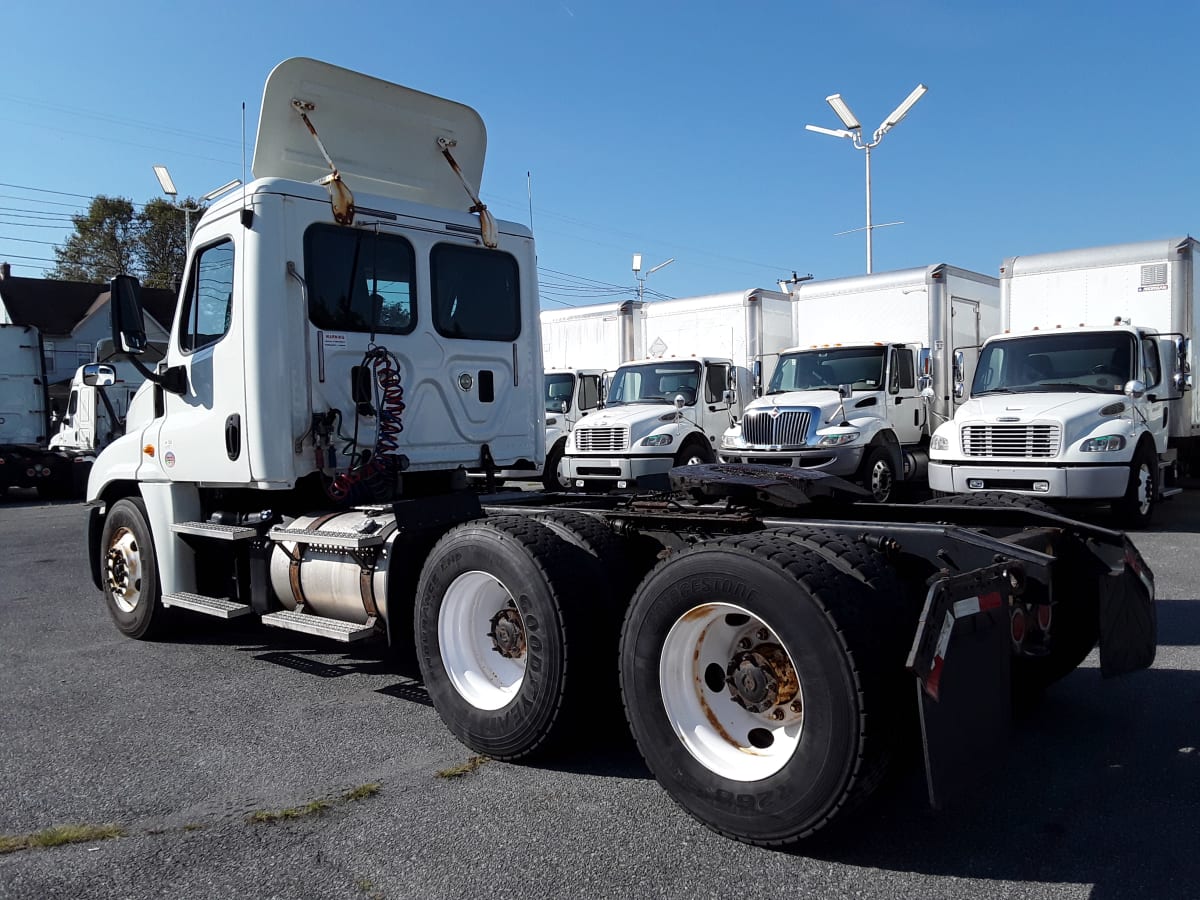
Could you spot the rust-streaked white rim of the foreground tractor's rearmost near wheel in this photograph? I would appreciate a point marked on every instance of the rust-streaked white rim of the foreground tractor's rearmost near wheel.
(724, 736)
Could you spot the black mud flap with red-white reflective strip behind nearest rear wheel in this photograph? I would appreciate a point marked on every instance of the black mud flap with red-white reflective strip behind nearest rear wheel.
(962, 657)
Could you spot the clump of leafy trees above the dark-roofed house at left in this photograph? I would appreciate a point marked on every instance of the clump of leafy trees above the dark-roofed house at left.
(112, 239)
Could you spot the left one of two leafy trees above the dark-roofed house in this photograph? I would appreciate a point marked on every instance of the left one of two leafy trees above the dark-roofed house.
(104, 244)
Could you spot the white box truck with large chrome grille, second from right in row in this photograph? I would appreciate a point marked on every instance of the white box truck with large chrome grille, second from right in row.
(849, 400)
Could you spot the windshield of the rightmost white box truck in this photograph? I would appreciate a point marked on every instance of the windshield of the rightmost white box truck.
(1093, 363)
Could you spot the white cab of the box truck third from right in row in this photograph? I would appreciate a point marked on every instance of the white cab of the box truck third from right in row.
(658, 413)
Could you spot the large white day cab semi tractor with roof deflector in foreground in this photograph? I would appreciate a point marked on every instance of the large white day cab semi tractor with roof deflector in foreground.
(298, 460)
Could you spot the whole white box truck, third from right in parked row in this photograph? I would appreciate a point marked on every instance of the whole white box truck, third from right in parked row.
(688, 367)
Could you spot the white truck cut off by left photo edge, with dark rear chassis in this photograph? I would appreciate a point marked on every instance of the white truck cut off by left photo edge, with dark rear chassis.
(29, 455)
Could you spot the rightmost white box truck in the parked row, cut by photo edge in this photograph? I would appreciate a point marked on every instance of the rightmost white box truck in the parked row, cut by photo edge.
(1088, 393)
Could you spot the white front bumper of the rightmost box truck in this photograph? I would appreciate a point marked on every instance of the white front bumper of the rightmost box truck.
(1065, 483)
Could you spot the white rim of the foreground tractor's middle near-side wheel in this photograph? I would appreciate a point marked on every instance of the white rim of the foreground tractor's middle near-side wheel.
(483, 676)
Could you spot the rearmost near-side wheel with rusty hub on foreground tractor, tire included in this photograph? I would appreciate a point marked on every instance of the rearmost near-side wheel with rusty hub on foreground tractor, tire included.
(755, 680)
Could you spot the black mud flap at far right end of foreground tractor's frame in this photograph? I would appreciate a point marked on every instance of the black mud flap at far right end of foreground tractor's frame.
(1129, 620)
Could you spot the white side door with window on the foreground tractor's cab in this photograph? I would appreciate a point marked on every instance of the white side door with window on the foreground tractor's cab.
(202, 436)
